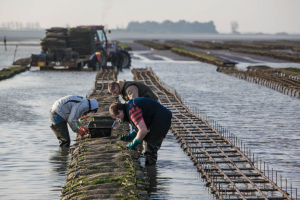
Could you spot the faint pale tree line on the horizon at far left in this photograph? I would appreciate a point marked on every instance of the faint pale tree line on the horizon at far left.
(14, 25)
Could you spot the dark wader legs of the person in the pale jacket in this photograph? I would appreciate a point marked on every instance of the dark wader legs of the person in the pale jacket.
(62, 133)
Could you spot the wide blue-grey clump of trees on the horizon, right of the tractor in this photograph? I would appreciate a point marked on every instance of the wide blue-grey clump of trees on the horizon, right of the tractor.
(172, 27)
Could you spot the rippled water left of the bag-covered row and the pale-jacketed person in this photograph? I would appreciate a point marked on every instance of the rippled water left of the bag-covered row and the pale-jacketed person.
(31, 164)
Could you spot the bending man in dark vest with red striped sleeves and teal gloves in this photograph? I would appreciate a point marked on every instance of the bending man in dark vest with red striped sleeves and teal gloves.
(151, 120)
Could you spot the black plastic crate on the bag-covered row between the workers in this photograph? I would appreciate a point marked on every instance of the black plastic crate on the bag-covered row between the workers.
(100, 128)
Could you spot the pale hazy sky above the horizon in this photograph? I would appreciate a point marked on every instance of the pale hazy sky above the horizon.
(268, 16)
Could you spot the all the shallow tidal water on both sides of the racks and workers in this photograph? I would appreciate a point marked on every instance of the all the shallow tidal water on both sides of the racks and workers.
(32, 164)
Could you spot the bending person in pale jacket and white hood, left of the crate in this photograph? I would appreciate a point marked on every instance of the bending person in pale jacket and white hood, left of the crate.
(68, 110)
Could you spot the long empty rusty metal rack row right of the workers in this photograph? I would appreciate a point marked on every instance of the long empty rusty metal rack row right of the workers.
(227, 164)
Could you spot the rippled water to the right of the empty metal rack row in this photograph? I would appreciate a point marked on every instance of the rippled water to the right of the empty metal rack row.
(266, 120)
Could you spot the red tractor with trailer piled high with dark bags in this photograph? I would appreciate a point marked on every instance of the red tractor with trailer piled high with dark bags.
(73, 48)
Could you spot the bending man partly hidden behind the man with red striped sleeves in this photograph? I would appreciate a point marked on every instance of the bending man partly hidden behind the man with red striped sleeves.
(130, 90)
